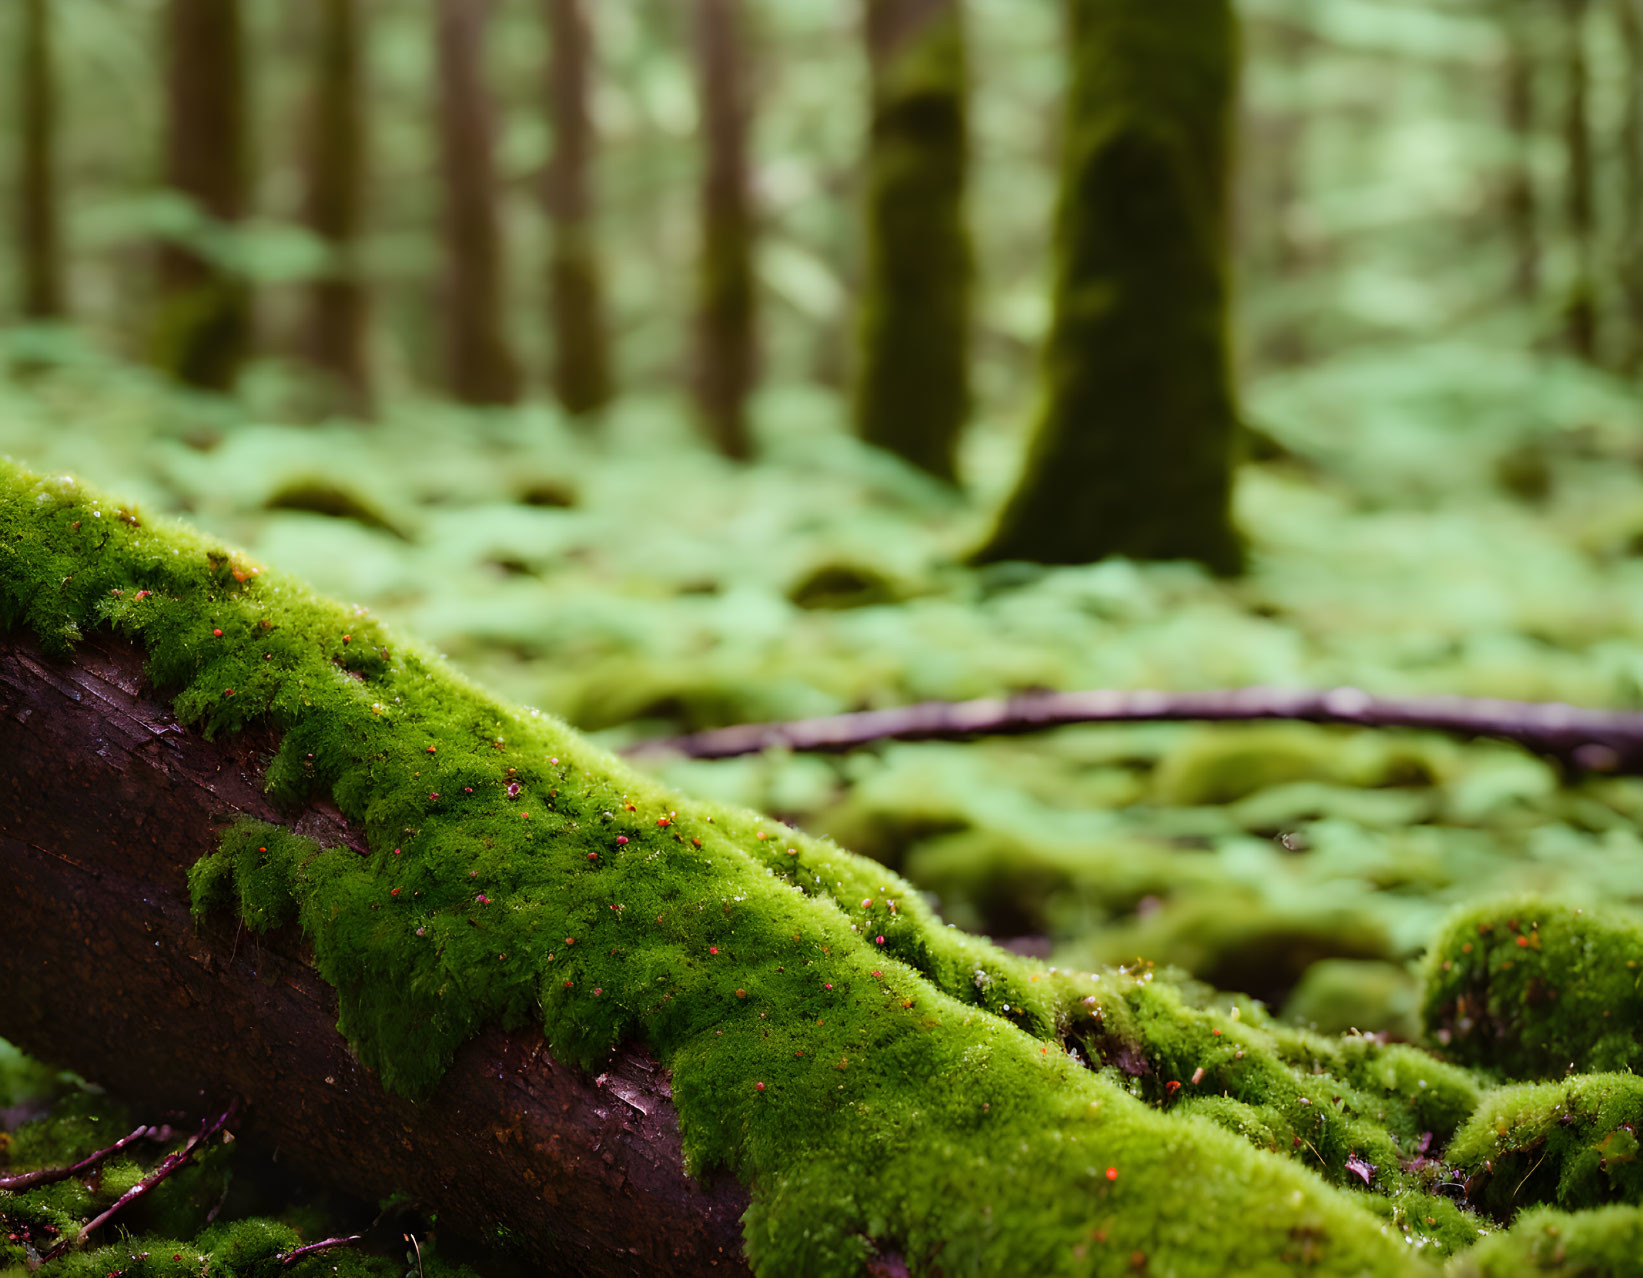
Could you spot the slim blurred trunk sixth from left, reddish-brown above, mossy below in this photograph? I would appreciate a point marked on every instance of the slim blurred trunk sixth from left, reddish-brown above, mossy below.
(725, 310)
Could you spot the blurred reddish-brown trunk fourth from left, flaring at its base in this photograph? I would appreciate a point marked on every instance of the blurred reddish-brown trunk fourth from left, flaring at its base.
(482, 367)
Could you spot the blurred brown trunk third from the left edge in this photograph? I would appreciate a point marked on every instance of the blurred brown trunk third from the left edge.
(339, 308)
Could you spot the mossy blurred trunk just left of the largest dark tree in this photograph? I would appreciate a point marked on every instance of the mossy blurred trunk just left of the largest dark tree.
(913, 392)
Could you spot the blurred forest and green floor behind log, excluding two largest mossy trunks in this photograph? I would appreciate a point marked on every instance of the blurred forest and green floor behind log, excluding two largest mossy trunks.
(1437, 247)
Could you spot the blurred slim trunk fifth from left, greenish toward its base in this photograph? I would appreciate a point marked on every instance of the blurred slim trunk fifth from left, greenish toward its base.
(582, 377)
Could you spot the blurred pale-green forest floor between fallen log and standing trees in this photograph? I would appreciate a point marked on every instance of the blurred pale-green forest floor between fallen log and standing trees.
(1422, 520)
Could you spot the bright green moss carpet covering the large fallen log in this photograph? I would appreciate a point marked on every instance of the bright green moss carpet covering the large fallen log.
(916, 1092)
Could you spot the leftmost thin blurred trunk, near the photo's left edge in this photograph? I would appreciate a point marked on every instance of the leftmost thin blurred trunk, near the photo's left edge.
(39, 239)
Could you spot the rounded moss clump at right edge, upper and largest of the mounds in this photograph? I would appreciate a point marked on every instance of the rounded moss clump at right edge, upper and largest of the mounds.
(1535, 990)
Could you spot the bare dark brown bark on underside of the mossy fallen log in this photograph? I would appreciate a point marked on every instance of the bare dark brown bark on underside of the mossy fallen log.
(104, 806)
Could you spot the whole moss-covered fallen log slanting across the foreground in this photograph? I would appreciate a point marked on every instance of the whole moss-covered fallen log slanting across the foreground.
(446, 947)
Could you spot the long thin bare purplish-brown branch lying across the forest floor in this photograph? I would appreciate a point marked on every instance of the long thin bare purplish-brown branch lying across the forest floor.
(1581, 740)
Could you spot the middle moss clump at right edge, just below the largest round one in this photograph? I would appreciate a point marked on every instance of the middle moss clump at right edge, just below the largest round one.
(1573, 1144)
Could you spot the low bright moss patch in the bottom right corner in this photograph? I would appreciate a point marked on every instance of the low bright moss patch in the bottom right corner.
(1593, 1244)
